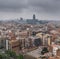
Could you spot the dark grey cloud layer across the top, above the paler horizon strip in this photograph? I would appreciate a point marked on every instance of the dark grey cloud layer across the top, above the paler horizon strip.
(49, 6)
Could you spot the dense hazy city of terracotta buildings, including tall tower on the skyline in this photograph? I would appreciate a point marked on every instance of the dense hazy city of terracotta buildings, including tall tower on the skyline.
(29, 39)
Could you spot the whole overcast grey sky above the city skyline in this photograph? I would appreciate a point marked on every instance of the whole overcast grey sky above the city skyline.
(44, 9)
